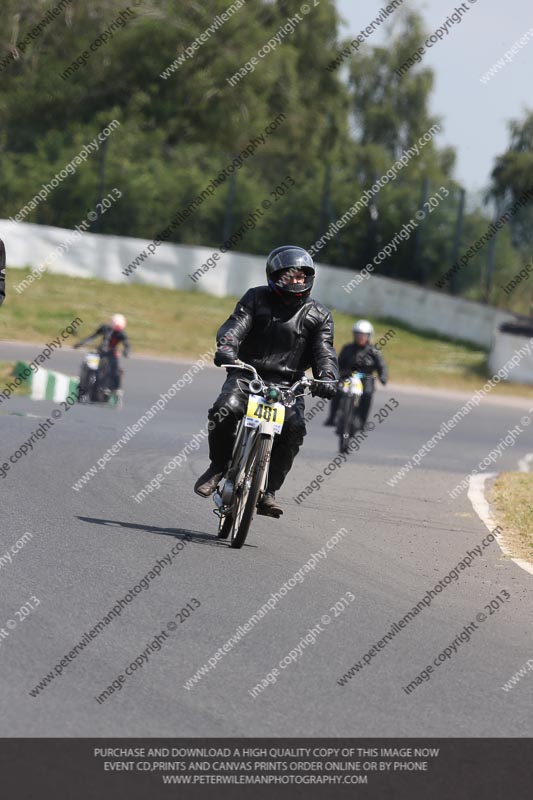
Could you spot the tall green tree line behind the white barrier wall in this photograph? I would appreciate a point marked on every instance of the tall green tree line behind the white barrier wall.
(163, 69)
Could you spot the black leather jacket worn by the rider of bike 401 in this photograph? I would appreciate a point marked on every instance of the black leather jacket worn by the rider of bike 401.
(279, 340)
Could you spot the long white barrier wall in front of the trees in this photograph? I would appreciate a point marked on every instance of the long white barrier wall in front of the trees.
(90, 255)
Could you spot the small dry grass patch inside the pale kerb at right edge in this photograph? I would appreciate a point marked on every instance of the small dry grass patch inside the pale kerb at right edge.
(512, 499)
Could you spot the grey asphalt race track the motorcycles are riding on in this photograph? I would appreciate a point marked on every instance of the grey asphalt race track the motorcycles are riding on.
(91, 546)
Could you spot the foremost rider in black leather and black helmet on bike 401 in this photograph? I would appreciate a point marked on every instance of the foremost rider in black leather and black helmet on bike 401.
(281, 331)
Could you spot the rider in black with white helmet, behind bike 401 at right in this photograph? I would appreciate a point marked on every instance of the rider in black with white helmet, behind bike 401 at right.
(361, 356)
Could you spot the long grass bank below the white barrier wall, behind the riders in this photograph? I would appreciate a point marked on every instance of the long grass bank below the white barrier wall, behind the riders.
(178, 323)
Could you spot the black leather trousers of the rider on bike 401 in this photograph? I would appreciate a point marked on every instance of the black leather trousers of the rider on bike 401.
(223, 426)
